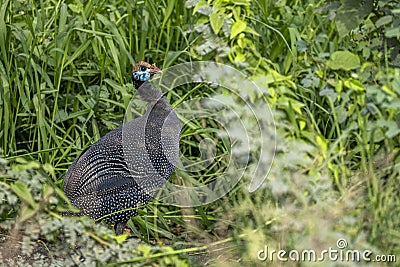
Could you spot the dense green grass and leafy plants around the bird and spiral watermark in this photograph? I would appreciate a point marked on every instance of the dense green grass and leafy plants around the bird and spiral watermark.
(328, 69)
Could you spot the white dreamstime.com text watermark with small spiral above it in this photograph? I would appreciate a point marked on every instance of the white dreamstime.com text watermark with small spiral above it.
(340, 253)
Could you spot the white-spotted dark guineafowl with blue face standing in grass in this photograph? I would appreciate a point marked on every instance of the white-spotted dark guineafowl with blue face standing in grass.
(126, 167)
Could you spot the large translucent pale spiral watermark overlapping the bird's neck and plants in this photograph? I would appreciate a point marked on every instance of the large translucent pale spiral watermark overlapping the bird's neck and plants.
(246, 130)
